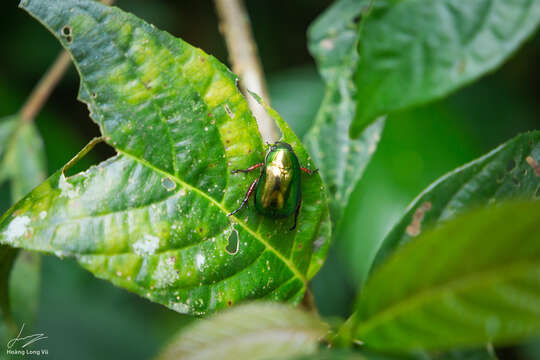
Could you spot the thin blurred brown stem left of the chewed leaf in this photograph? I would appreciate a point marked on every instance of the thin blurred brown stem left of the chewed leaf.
(43, 89)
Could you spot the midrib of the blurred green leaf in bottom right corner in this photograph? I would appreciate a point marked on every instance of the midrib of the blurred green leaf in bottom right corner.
(483, 278)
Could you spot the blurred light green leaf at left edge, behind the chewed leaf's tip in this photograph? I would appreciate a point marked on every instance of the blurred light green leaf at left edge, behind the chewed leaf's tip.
(22, 163)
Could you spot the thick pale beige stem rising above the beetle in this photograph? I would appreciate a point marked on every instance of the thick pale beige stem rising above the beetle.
(235, 27)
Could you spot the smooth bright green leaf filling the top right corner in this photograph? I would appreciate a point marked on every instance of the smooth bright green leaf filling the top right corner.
(414, 51)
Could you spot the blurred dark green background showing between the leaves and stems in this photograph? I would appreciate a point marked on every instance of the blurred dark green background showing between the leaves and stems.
(88, 318)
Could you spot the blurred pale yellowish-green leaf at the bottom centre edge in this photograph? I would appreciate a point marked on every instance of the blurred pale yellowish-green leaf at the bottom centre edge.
(249, 332)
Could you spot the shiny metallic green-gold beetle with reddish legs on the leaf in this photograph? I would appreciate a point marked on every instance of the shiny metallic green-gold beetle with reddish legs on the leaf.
(278, 191)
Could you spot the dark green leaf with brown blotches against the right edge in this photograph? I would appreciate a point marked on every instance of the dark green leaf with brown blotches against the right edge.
(511, 170)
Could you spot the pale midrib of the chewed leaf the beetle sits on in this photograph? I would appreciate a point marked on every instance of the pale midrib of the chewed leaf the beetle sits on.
(189, 187)
